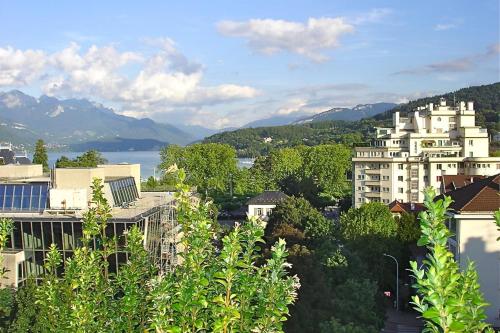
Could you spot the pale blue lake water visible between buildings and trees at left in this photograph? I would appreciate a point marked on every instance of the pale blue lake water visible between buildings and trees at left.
(148, 160)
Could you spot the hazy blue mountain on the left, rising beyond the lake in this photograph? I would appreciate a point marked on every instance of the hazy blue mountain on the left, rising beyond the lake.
(23, 119)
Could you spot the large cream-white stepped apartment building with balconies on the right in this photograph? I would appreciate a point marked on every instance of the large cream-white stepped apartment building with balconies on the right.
(417, 150)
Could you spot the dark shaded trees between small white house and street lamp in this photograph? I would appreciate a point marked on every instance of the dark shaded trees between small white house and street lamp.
(337, 294)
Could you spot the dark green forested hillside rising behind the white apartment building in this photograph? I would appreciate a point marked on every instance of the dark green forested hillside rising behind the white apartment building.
(252, 142)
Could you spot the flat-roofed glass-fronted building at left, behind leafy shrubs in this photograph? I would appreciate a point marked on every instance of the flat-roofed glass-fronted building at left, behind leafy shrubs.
(48, 210)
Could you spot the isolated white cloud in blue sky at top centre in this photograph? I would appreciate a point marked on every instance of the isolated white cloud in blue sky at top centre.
(308, 39)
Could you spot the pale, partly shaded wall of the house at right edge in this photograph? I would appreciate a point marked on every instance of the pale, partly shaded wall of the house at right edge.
(477, 236)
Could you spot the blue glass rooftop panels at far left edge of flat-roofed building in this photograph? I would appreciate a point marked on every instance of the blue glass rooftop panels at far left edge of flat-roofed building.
(24, 197)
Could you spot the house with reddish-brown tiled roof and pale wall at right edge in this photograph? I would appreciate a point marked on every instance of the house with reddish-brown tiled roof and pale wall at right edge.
(471, 220)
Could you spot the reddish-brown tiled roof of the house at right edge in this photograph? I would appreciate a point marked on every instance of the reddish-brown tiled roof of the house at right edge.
(479, 196)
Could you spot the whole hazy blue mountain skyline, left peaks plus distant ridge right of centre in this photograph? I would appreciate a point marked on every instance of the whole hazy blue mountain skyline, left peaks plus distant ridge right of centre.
(80, 124)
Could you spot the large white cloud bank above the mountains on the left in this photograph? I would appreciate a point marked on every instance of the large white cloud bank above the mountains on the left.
(137, 84)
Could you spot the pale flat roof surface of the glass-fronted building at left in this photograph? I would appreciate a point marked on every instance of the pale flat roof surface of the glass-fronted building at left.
(147, 202)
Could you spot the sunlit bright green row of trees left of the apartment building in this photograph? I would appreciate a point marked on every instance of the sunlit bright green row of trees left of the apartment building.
(317, 173)
